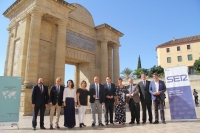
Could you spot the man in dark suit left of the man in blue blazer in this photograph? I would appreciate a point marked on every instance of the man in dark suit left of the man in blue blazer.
(145, 97)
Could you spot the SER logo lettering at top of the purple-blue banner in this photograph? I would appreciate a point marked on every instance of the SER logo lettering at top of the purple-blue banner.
(177, 78)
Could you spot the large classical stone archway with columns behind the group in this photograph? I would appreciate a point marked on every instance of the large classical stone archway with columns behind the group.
(44, 35)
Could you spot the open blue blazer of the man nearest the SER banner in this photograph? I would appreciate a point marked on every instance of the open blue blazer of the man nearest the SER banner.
(162, 89)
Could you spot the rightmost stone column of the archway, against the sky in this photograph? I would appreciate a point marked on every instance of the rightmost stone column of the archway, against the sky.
(116, 63)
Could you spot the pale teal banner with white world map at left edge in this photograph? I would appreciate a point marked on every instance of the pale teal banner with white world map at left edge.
(10, 91)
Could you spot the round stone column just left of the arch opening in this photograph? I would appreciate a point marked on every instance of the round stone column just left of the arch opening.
(60, 50)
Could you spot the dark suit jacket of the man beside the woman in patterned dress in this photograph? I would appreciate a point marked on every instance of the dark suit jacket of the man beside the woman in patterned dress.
(111, 92)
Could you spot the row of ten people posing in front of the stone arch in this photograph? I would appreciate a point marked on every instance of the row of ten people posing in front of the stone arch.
(113, 97)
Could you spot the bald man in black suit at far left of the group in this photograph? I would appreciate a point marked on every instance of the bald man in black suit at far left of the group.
(40, 100)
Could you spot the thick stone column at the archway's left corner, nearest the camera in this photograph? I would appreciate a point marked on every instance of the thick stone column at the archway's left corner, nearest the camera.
(33, 49)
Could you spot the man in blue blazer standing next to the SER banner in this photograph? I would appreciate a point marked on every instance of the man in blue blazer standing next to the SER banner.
(157, 89)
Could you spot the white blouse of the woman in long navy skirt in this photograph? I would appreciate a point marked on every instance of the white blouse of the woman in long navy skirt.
(69, 93)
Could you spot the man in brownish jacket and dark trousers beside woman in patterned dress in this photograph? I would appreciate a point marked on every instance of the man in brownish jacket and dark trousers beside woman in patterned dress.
(133, 99)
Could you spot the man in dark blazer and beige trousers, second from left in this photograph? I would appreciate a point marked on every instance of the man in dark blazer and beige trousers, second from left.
(56, 101)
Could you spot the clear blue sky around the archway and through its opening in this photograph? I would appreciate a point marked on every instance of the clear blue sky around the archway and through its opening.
(145, 24)
